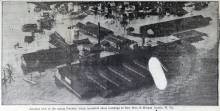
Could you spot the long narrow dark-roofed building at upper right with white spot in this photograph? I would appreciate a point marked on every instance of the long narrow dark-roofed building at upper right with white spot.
(169, 27)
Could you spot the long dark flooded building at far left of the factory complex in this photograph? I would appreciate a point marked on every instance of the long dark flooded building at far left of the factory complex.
(41, 60)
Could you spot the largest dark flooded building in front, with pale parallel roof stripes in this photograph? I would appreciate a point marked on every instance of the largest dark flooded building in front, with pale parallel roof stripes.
(117, 73)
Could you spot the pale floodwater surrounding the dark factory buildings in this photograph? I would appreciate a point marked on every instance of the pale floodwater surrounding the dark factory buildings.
(195, 82)
